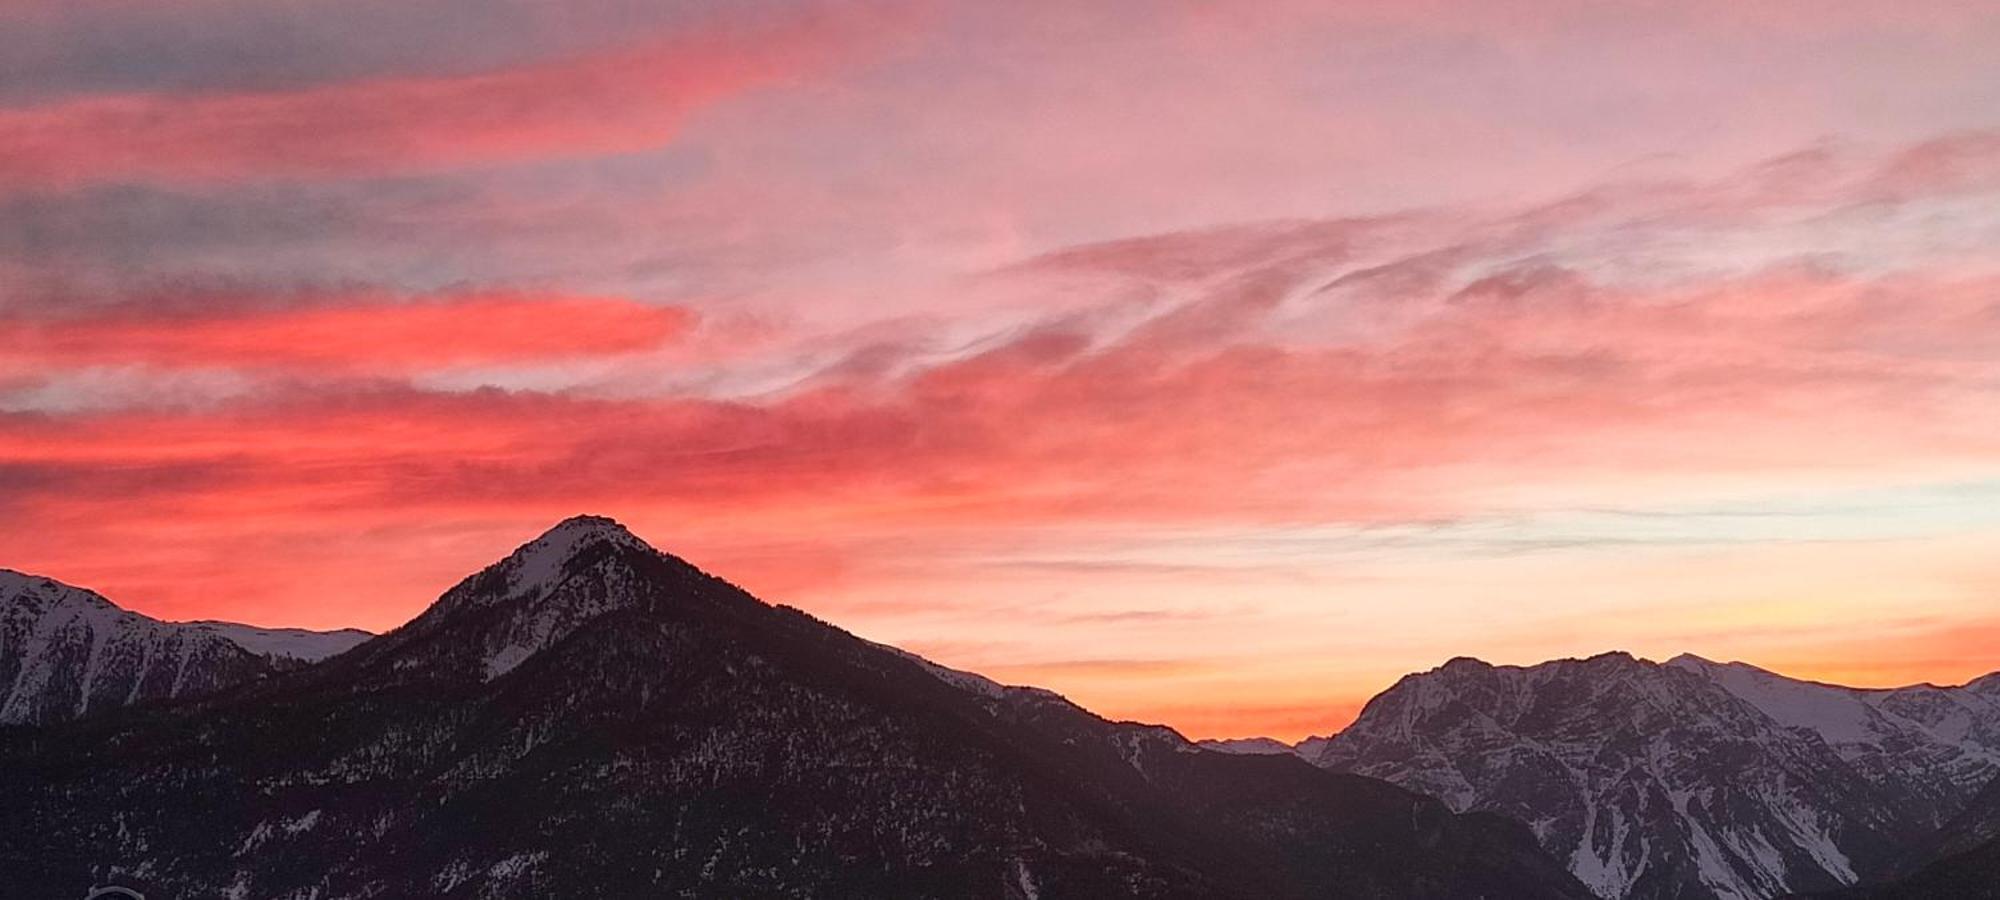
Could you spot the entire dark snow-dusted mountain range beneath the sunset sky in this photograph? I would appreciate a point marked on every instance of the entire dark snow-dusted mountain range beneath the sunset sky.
(591, 717)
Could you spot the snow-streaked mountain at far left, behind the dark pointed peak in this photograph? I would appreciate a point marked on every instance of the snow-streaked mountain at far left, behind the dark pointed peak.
(69, 653)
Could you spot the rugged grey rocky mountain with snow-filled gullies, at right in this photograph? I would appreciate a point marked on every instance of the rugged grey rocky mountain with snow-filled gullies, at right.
(1683, 779)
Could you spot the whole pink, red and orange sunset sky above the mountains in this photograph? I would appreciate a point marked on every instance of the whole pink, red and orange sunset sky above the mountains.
(1211, 363)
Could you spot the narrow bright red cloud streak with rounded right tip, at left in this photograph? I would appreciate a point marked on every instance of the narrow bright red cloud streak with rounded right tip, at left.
(367, 333)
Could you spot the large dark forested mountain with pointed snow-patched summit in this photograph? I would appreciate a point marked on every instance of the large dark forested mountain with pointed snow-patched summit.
(591, 719)
